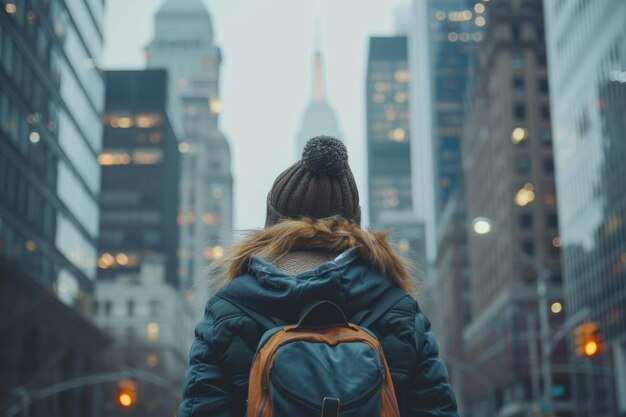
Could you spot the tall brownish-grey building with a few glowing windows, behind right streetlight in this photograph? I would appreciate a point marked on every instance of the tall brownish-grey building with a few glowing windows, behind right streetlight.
(509, 180)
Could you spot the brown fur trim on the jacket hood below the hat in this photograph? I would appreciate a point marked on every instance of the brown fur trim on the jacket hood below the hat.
(334, 235)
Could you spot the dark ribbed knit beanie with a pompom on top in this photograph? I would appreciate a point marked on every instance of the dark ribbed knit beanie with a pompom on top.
(320, 185)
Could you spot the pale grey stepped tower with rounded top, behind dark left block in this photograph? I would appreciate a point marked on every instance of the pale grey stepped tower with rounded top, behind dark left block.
(206, 204)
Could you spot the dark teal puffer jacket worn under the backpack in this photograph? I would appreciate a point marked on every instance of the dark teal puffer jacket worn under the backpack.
(216, 382)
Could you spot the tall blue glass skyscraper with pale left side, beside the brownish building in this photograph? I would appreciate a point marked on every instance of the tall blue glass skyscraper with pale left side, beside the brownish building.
(440, 64)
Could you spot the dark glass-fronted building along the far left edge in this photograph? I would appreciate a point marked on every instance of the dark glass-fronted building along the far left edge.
(51, 100)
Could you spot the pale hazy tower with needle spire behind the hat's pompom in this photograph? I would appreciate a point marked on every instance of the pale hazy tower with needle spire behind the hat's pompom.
(319, 117)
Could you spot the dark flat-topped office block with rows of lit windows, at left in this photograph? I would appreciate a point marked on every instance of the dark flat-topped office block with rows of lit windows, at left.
(140, 172)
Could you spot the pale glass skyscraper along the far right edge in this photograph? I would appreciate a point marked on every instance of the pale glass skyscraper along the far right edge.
(587, 71)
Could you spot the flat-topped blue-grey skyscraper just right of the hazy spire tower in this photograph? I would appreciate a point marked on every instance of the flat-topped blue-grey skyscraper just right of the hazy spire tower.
(389, 147)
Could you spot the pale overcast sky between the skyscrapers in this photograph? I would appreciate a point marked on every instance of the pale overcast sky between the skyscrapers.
(267, 48)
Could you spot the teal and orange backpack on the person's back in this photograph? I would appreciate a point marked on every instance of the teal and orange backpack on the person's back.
(323, 365)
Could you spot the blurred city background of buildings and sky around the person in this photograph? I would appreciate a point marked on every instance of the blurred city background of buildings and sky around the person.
(138, 138)
